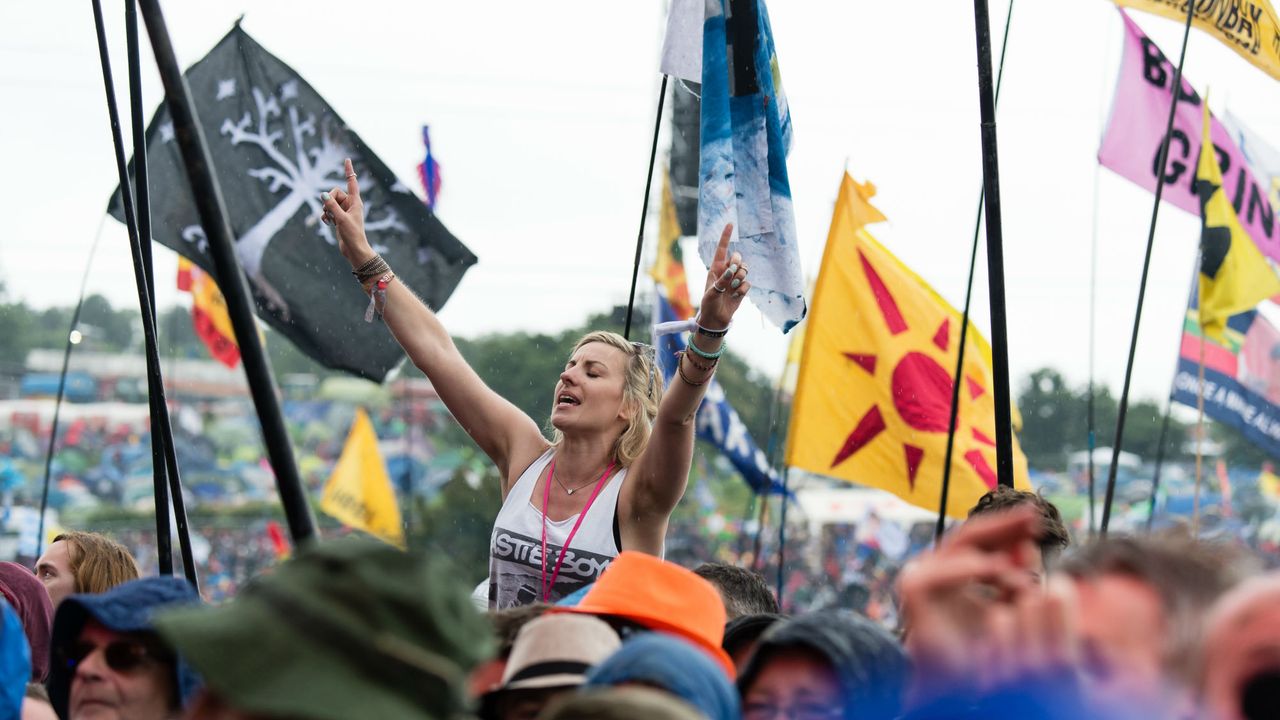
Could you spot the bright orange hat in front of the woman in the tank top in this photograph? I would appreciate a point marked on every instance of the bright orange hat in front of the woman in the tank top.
(664, 598)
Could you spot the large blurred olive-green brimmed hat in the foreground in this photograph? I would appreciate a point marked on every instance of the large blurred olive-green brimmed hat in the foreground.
(350, 628)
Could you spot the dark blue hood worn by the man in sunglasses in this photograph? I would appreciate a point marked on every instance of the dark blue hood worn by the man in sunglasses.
(125, 609)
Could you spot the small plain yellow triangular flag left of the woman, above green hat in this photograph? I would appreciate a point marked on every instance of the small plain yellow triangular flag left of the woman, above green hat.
(359, 493)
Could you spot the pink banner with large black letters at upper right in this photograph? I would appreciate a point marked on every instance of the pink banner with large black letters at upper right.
(1137, 129)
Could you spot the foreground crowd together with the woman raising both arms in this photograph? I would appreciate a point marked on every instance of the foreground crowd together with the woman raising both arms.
(582, 617)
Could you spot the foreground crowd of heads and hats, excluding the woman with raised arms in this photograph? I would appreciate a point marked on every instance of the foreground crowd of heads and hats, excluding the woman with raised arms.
(1003, 619)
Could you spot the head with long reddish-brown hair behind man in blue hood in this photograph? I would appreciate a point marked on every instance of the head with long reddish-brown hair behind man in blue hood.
(84, 563)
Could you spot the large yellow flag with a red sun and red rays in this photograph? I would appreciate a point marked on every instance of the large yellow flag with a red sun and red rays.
(874, 398)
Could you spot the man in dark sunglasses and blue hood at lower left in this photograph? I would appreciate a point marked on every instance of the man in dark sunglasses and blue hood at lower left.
(108, 662)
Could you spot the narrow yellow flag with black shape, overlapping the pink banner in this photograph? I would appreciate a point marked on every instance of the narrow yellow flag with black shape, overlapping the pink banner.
(1233, 275)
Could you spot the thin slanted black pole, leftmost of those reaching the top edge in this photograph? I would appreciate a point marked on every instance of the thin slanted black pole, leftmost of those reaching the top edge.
(156, 382)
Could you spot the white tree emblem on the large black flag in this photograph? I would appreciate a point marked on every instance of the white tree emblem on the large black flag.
(316, 167)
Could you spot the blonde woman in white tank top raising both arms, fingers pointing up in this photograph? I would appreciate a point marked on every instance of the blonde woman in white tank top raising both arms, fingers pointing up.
(621, 450)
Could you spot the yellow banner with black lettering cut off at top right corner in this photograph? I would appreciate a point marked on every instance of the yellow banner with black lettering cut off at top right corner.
(1249, 28)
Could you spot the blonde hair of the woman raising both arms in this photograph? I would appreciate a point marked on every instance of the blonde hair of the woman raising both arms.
(642, 394)
